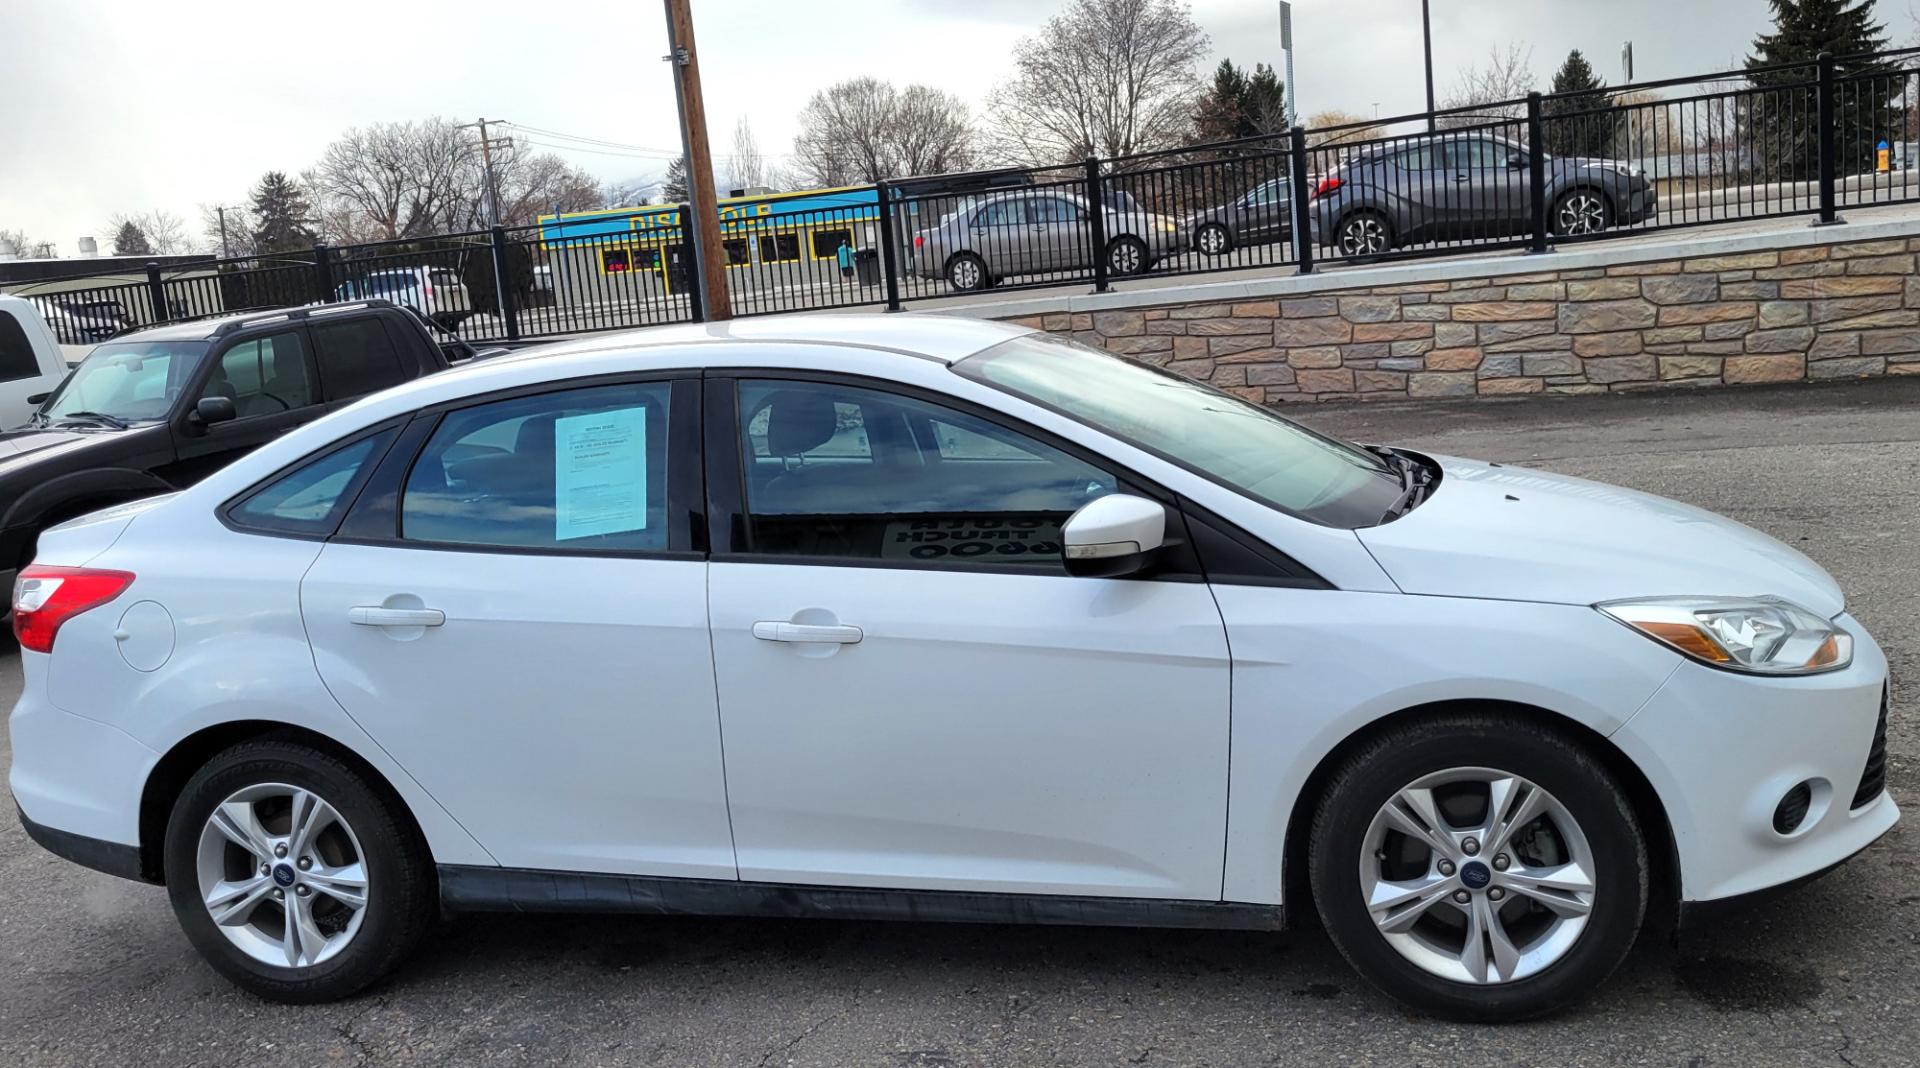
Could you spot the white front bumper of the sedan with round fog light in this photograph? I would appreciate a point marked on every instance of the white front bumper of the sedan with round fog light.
(1721, 750)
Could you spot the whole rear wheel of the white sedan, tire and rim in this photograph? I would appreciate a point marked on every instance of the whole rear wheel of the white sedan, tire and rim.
(293, 875)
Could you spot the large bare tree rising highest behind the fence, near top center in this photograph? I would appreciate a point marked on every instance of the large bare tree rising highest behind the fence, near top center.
(1105, 78)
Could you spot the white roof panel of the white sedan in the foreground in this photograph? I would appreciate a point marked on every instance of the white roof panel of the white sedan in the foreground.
(946, 339)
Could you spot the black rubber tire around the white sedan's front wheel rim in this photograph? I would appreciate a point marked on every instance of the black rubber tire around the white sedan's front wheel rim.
(1370, 777)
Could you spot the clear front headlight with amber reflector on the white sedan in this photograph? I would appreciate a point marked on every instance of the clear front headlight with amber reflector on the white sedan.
(1762, 635)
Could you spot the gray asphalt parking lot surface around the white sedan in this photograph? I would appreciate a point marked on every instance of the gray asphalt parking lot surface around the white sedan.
(93, 971)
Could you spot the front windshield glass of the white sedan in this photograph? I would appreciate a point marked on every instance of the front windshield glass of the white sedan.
(1216, 435)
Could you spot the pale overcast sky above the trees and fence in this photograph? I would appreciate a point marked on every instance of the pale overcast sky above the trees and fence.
(116, 107)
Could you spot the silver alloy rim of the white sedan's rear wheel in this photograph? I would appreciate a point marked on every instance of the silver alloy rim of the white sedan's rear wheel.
(283, 875)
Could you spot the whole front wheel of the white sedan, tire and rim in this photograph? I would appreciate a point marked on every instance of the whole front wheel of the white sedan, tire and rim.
(1479, 867)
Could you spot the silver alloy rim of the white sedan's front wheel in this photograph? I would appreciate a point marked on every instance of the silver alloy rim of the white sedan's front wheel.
(1477, 877)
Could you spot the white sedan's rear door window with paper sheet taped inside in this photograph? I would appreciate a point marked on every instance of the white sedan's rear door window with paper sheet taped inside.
(579, 470)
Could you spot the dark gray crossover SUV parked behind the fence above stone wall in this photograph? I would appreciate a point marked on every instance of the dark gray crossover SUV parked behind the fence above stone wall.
(1468, 187)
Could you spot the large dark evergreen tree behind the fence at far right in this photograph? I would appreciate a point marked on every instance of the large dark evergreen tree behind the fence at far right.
(1777, 126)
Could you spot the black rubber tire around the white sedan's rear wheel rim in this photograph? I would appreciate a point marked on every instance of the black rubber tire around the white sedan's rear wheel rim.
(402, 898)
